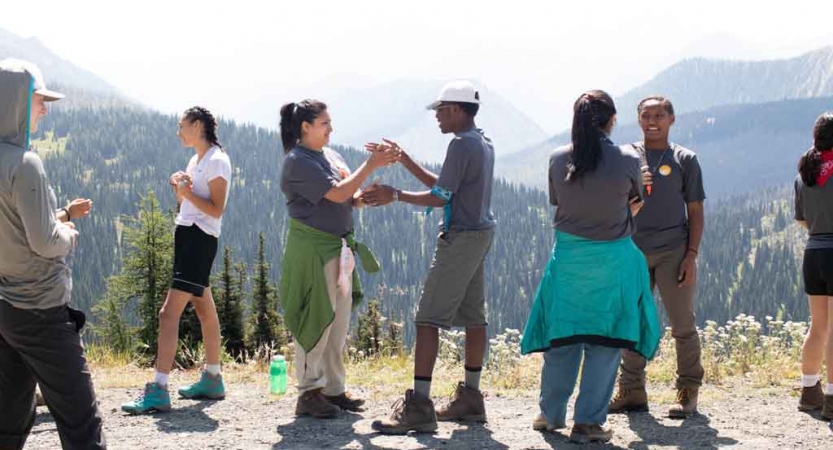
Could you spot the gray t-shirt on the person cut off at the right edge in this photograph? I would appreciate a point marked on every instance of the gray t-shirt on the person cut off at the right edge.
(814, 205)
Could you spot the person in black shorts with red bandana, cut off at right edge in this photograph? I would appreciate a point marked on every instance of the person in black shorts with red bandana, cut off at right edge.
(814, 211)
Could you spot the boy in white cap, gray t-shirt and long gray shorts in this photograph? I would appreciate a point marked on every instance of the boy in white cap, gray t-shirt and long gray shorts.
(454, 291)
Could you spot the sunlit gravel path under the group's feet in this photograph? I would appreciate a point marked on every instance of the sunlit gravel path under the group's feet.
(248, 419)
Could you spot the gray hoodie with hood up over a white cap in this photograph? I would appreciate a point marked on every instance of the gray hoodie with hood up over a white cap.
(33, 243)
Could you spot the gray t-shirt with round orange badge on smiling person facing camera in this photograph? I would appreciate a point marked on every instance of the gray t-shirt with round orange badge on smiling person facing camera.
(662, 224)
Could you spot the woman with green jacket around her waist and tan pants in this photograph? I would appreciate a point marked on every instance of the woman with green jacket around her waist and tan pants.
(319, 285)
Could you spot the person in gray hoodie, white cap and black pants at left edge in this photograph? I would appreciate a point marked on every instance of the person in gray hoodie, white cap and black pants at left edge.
(39, 333)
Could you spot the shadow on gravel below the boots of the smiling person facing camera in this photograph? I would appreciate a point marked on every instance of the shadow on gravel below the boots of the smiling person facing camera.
(691, 433)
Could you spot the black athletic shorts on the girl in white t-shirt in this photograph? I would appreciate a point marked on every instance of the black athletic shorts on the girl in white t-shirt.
(194, 252)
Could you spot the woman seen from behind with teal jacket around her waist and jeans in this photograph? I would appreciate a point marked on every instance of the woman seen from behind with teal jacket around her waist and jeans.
(594, 298)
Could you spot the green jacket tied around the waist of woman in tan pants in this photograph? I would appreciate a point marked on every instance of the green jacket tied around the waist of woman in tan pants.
(306, 303)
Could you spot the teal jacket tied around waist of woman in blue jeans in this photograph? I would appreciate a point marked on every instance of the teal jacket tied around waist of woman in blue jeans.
(595, 292)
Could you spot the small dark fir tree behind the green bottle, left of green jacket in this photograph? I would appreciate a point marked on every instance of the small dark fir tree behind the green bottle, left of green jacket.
(265, 325)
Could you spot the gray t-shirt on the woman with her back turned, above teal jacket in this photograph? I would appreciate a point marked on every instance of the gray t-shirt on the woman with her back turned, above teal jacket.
(596, 205)
